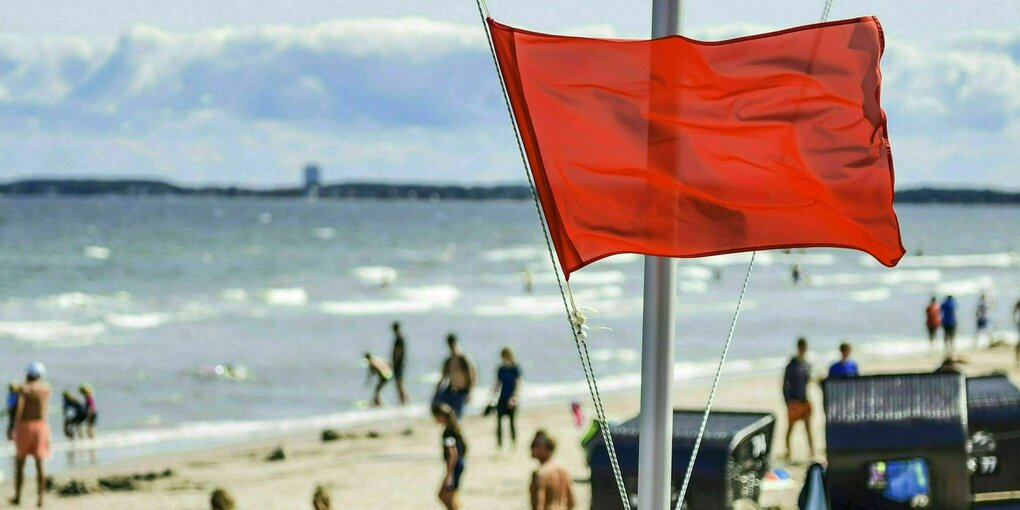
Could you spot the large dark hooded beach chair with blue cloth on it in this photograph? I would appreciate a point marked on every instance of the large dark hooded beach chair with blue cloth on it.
(897, 442)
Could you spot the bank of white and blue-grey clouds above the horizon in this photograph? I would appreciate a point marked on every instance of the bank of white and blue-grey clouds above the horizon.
(402, 99)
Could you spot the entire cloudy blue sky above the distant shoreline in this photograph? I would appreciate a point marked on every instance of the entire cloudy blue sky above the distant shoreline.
(247, 92)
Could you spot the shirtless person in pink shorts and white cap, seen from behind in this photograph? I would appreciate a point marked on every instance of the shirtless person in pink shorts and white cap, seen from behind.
(32, 431)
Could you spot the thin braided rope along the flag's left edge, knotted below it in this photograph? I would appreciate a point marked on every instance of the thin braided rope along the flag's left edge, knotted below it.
(575, 317)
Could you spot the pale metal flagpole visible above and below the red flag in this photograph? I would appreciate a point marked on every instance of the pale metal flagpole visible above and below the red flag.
(655, 455)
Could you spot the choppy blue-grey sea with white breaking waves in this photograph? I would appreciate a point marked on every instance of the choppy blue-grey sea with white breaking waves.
(212, 321)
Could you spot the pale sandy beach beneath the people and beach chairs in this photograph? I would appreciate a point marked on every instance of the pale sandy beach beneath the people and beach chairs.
(398, 466)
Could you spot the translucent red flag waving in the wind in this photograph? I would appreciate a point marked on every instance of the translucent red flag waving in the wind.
(681, 148)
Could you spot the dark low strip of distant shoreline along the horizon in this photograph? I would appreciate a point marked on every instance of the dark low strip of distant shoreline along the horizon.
(80, 188)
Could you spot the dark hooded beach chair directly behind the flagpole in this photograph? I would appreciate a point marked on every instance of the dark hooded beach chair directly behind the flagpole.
(730, 469)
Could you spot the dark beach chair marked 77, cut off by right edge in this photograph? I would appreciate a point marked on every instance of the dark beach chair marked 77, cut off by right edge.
(994, 426)
